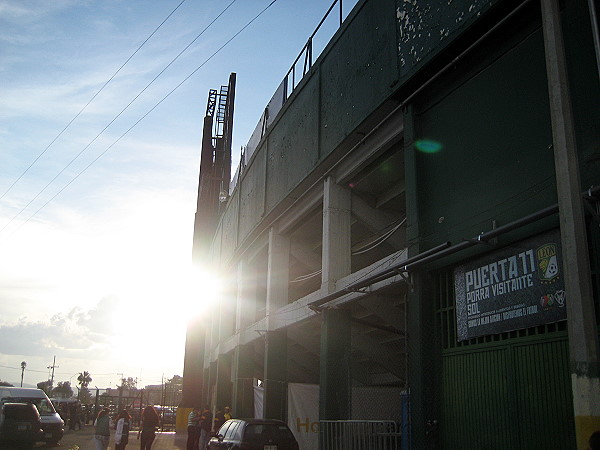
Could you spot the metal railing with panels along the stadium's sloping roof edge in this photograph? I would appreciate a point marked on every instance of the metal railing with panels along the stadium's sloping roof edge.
(284, 90)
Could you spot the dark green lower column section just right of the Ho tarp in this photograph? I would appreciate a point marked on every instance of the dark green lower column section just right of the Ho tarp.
(335, 378)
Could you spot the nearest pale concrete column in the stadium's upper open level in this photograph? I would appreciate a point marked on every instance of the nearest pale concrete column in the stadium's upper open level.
(336, 234)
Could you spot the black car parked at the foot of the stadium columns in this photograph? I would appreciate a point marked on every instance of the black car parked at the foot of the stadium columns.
(253, 434)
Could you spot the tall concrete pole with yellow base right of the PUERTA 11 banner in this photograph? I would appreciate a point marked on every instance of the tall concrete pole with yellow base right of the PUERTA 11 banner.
(581, 318)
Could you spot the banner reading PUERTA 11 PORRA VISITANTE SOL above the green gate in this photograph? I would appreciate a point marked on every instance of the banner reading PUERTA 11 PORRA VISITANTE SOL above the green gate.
(517, 287)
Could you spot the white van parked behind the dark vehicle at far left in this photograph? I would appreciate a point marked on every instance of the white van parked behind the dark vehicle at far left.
(52, 424)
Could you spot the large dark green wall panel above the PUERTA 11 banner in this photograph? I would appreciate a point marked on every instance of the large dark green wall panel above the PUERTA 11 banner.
(495, 160)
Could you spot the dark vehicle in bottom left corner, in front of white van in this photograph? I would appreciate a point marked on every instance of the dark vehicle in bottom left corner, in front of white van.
(20, 425)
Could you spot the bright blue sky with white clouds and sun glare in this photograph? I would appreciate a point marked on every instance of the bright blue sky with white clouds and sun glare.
(95, 265)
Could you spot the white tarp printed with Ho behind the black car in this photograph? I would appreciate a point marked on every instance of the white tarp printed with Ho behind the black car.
(303, 414)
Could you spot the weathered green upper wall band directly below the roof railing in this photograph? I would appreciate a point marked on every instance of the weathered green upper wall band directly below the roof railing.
(349, 81)
